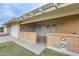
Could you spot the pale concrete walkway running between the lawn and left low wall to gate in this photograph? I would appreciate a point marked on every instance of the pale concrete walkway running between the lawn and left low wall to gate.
(37, 48)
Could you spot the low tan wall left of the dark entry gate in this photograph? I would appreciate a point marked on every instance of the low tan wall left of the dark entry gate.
(29, 36)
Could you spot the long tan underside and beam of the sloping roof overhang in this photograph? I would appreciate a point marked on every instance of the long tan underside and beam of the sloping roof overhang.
(59, 12)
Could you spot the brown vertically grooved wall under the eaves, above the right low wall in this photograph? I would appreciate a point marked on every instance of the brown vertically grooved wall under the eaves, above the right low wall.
(69, 24)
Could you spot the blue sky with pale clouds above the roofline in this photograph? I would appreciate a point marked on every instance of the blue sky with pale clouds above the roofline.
(10, 10)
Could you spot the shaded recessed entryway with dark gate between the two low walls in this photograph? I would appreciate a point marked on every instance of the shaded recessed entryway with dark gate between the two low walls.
(42, 28)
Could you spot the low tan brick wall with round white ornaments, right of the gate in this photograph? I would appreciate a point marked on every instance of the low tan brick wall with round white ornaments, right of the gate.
(70, 41)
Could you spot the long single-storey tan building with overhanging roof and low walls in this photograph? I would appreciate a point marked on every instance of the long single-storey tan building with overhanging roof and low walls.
(55, 25)
